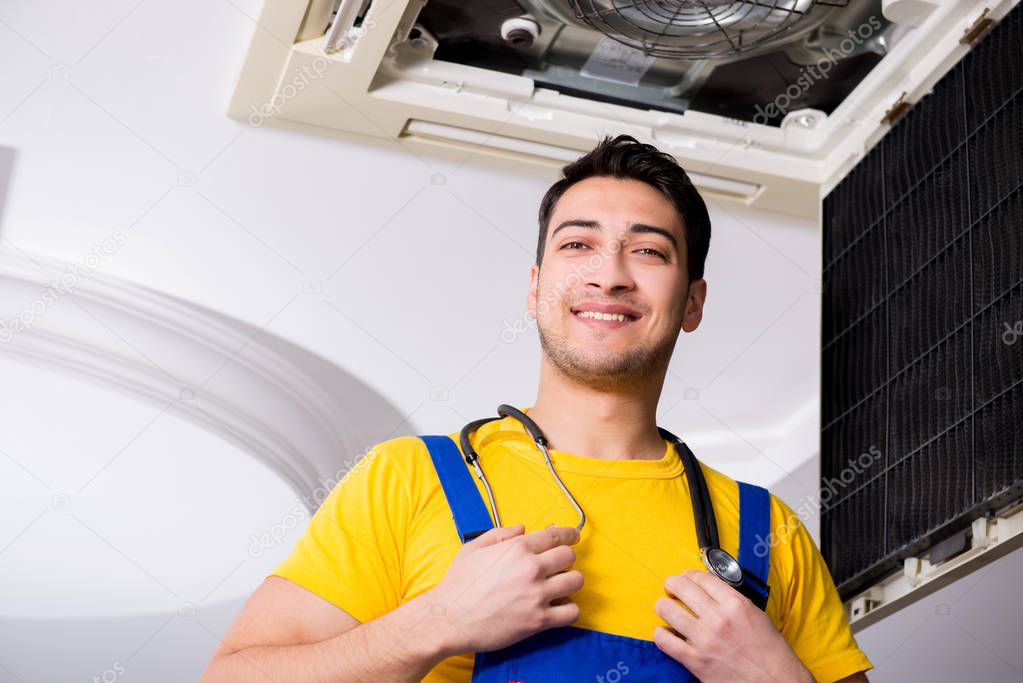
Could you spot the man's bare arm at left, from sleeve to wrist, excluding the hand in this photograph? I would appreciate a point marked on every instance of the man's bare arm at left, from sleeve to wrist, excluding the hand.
(287, 633)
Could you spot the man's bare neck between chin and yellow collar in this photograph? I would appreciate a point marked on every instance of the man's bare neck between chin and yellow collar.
(598, 424)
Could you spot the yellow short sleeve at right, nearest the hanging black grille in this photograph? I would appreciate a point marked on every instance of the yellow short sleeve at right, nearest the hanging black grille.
(813, 617)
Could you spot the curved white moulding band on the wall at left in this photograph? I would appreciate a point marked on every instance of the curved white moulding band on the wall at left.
(301, 416)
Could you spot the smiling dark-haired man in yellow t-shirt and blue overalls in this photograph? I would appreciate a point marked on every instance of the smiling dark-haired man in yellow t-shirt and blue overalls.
(381, 588)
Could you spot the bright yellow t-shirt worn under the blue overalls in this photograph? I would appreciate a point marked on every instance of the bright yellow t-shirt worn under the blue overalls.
(385, 535)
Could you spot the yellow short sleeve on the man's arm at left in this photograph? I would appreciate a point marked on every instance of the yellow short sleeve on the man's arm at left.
(351, 554)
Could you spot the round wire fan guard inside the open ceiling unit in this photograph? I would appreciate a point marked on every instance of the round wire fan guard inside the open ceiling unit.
(697, 29)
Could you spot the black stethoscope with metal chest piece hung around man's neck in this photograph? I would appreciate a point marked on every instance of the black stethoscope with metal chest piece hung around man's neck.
(719, 562)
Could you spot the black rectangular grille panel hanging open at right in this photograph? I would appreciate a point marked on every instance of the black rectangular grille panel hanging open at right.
(922, 327)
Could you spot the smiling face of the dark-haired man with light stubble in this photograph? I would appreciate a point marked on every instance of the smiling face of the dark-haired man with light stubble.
(614, 246)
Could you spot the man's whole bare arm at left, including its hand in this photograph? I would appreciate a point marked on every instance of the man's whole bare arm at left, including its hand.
(502, 587)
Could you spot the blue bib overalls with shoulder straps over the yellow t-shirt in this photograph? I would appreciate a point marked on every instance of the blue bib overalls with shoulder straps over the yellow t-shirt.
(571, 654)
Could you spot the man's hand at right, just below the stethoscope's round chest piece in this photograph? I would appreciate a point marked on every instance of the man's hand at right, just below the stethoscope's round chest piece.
(726, 638)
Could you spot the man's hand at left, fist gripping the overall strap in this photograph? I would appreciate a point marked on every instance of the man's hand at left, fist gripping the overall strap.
(507, 585)
